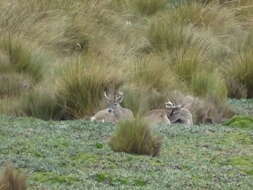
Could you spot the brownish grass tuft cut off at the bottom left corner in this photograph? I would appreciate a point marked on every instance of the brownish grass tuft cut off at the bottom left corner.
(12, 179)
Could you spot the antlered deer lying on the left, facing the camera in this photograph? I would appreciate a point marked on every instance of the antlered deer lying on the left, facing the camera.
(114, 111)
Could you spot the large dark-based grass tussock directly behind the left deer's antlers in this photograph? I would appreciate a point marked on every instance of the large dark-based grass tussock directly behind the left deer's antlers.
(81, 85)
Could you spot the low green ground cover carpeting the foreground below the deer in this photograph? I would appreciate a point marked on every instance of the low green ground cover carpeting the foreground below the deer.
(75, 155)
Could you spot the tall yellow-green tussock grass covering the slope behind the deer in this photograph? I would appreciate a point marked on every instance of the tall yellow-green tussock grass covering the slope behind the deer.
(66, 53)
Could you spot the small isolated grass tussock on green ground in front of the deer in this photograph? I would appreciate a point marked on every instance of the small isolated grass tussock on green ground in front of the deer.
(135, 137)
